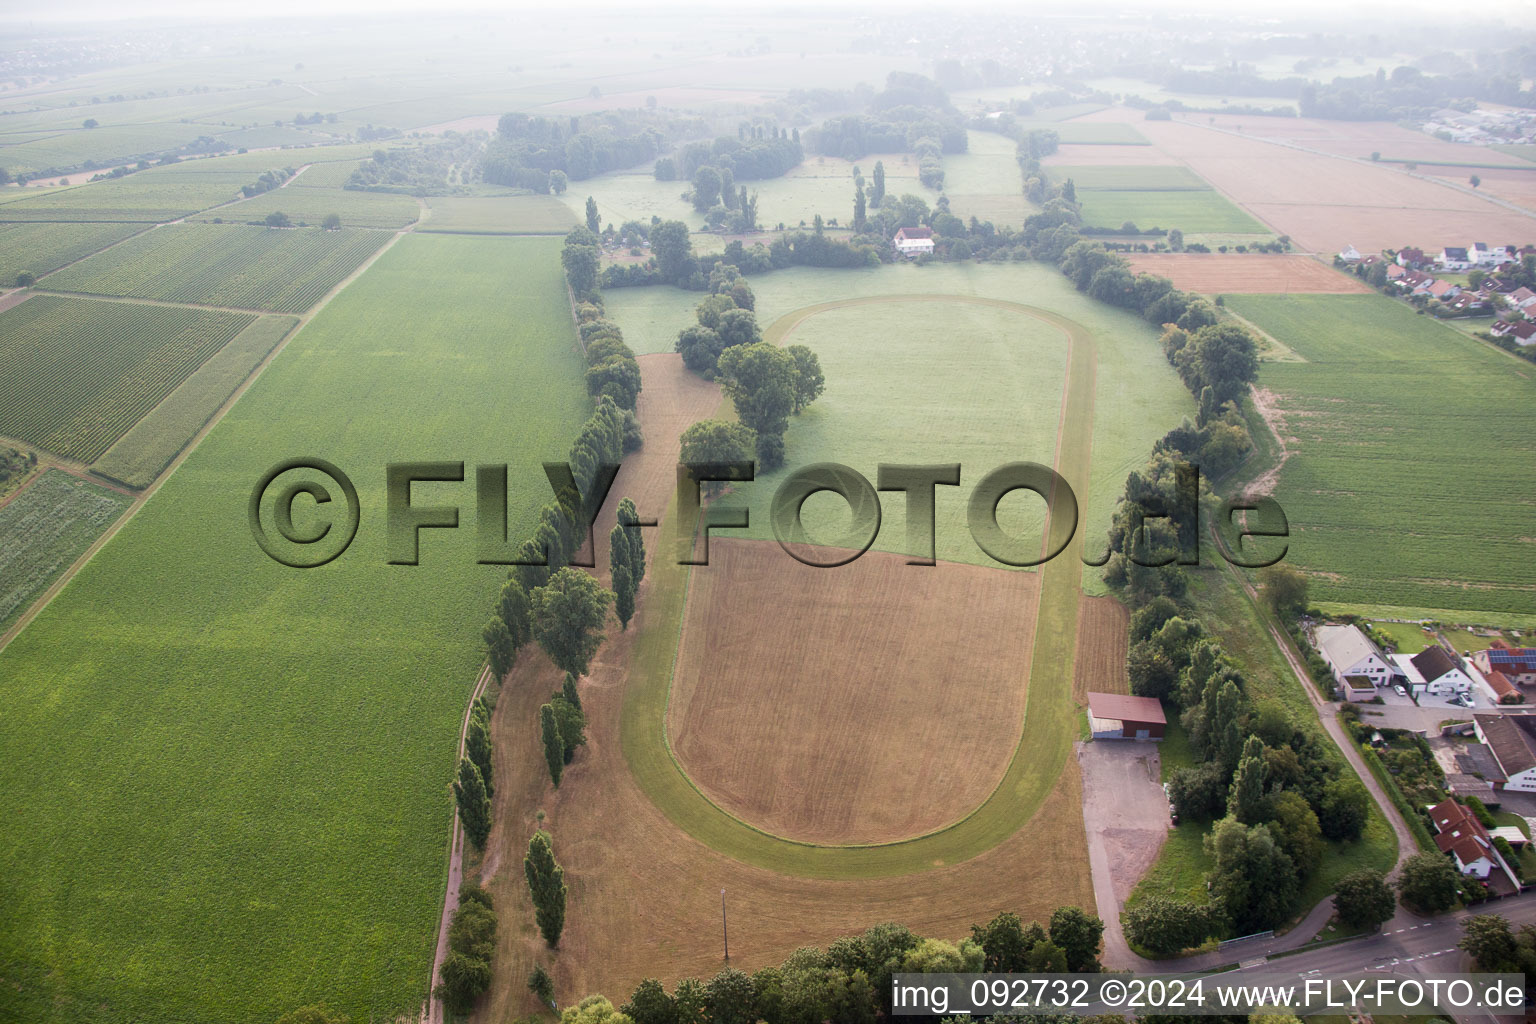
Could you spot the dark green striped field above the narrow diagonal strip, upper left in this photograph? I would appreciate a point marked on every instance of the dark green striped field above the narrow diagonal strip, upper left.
(225, 265)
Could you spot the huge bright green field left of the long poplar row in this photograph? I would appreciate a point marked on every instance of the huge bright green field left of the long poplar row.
(233, 799)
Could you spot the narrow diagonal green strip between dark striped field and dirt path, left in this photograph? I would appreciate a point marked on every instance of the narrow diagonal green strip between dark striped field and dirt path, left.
(161, 437)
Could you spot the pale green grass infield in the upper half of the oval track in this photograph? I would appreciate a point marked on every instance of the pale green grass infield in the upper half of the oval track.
(922, 401)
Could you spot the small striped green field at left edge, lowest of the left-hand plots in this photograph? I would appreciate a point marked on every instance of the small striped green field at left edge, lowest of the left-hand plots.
(44, 530)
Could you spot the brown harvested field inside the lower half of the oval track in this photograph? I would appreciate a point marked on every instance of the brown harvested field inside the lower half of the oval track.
(826, 705)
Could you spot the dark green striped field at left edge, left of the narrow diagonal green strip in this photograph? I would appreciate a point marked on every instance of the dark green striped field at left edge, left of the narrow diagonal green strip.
(81, 372)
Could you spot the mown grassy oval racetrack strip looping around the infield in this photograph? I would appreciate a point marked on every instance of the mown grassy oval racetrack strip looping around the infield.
(1048, 728)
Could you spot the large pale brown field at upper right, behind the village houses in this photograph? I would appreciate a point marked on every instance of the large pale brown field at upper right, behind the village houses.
(1325, 203)
